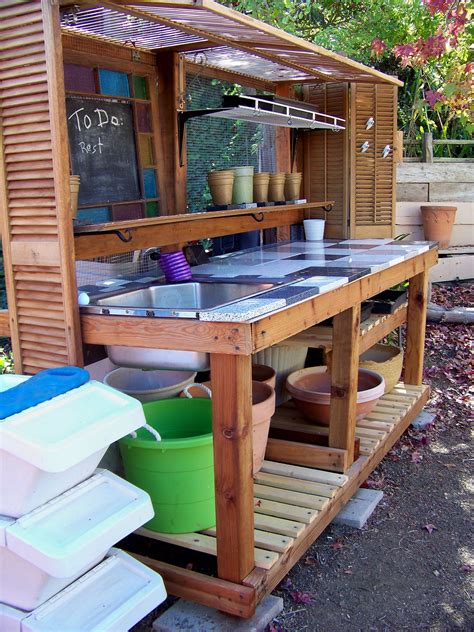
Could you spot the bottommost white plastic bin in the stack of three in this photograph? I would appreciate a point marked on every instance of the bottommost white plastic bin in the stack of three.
(112, 597)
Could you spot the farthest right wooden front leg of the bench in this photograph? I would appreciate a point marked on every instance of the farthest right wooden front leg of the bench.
(416, 327)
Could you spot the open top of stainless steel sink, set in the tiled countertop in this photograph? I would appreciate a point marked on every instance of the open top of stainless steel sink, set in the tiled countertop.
(173, 300)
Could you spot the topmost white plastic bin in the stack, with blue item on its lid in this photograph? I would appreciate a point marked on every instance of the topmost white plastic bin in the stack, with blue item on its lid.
(49, 448)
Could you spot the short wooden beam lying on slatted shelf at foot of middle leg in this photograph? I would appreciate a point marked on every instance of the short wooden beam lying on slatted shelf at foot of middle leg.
(298, 453)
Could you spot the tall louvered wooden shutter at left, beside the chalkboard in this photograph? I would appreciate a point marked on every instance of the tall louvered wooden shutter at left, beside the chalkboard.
(37, 235)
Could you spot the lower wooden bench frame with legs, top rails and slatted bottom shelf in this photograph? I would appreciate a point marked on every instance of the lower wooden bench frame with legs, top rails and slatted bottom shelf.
(265, 525)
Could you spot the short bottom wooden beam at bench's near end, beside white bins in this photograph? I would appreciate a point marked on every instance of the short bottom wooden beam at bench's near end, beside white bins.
(212, 592)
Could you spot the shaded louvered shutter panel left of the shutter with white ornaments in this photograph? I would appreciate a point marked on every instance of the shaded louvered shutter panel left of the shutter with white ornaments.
(326, 162)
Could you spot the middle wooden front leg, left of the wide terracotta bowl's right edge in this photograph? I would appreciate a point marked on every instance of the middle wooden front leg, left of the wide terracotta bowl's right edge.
(345, 364)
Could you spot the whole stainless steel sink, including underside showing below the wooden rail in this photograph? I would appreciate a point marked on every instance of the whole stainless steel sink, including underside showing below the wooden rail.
(183, 299)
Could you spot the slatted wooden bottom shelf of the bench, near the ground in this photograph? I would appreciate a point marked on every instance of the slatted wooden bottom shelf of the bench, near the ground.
(294, 504)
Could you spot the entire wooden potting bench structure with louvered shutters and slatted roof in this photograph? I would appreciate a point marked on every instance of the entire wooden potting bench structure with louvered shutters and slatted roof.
(263, 526)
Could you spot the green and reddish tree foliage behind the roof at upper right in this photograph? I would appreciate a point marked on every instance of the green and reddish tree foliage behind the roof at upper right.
(425, 43)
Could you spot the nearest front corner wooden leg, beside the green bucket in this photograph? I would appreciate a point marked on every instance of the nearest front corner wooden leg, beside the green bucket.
(231, 379)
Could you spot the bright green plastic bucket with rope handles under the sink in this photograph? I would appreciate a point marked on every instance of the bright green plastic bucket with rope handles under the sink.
(178, 471)
